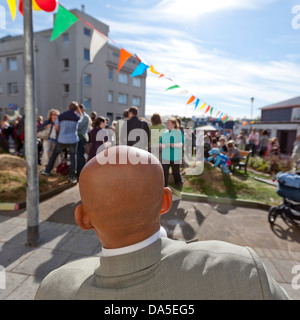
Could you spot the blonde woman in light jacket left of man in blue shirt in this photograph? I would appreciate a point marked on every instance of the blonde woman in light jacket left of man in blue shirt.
(50, 139)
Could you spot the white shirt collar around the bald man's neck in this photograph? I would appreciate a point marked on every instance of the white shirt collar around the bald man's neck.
(134, 247)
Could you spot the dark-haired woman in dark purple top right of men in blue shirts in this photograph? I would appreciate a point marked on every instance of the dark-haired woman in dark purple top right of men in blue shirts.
(98, 137)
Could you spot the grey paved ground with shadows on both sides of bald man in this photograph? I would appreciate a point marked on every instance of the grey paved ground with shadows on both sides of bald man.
(63, 241)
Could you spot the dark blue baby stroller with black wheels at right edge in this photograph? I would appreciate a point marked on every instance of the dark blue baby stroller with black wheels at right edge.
(289, 189)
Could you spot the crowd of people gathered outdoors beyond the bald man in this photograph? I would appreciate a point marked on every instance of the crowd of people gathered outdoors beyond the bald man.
(74, 137)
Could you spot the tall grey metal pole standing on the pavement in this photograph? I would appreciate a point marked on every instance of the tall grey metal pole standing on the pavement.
(32, 190)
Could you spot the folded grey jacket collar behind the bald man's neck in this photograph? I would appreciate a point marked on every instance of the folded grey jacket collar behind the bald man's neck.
(131, 262)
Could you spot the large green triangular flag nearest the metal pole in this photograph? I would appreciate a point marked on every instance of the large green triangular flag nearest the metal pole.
(64, 20)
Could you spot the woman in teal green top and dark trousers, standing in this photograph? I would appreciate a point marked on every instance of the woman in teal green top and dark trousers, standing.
(171, 143)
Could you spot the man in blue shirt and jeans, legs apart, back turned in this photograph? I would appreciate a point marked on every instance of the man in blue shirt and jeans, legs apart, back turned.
(67, 126)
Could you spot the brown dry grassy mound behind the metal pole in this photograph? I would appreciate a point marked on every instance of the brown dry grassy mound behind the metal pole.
(13, 179)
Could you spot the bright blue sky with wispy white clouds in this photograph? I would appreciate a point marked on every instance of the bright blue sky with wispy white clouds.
(222, 51)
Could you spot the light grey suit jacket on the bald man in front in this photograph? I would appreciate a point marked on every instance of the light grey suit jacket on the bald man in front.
(166, 270)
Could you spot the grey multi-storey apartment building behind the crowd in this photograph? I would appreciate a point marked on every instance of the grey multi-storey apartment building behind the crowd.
(63, 73)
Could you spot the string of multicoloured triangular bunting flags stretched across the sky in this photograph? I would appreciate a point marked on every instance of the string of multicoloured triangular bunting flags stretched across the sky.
(65, 19)
